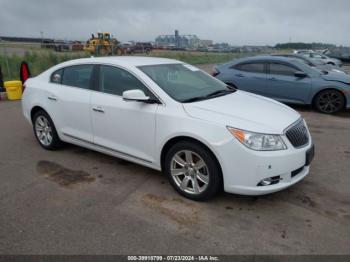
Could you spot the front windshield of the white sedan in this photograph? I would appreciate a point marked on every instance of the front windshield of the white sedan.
(185, 83)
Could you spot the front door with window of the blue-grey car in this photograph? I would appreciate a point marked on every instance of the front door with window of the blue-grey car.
(283, 85)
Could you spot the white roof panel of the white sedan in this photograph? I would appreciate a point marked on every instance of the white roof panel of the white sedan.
(127, 61)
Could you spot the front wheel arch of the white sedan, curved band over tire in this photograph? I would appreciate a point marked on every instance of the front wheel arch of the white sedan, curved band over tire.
(174, 140)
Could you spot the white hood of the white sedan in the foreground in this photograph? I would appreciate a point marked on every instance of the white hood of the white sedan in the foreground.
(245, 111)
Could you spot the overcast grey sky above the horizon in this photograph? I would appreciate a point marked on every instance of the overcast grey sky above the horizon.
(238, 22)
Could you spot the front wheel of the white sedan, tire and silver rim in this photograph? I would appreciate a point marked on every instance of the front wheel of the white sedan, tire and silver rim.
(200, 180)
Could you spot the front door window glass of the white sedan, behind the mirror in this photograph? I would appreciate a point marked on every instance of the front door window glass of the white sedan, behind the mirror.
(115, 81)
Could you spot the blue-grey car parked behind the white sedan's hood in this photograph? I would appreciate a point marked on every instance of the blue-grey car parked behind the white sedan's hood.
(289, 81)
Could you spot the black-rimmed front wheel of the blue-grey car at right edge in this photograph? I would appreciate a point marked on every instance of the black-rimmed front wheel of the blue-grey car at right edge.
(329, 101)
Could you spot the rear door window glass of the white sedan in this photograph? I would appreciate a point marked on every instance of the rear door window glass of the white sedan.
(78, 76)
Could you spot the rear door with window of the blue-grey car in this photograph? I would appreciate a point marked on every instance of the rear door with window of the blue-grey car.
(250, 76)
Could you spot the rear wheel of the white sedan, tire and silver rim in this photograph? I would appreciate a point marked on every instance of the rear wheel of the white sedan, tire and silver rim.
(44, 127)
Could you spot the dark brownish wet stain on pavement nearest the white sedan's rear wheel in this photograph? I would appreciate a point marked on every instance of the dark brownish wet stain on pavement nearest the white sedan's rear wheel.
(63, 176)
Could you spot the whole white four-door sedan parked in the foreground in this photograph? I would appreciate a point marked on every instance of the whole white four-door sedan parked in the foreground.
(171, 116)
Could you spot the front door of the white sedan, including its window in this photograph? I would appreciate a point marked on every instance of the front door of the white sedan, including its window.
(125, 127)
